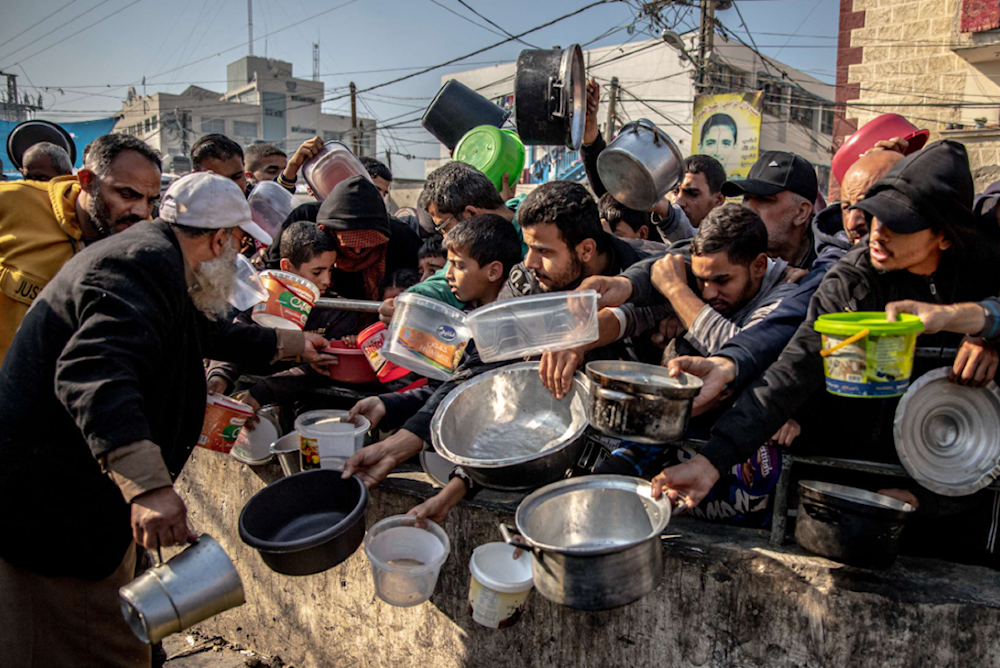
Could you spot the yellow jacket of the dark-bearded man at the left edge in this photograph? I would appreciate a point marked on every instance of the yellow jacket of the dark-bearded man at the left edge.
(38, 235)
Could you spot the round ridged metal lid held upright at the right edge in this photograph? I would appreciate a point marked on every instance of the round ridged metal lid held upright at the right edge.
(948, 436)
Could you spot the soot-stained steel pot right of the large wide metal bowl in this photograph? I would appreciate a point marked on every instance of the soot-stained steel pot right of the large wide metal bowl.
(640, 402)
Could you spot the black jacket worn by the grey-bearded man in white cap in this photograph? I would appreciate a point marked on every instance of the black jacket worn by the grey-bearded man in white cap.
(109, 354)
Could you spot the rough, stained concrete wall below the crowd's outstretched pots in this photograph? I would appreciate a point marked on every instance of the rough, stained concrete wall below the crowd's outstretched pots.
(727, 598)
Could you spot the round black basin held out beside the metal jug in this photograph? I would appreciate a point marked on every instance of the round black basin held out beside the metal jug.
(307, 522)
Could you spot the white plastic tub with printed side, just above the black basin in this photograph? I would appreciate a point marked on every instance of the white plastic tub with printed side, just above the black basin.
(327, 439)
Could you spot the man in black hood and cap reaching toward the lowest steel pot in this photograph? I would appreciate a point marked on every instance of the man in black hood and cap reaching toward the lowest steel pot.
(924, 245)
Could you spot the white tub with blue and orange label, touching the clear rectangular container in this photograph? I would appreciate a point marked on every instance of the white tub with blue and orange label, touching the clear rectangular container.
(427, 336)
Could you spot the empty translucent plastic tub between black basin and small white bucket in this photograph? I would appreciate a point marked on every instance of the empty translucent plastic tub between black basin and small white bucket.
(406, 560)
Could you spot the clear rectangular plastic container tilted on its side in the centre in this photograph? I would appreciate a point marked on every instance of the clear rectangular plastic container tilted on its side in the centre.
(526, 326)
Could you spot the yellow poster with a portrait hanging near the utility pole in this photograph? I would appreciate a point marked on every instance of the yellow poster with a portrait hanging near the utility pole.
(727, 127)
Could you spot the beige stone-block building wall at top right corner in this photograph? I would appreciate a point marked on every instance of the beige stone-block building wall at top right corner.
(910, 58)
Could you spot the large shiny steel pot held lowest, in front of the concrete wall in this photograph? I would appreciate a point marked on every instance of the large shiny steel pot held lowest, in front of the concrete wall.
(594, 541)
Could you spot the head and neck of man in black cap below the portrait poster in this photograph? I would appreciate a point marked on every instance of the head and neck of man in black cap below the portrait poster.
(782, 188)
